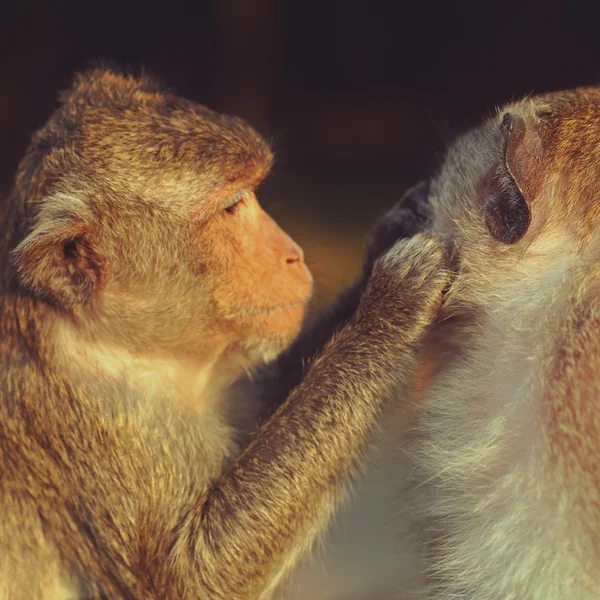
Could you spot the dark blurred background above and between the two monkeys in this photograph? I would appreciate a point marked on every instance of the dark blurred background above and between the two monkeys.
(360, 98)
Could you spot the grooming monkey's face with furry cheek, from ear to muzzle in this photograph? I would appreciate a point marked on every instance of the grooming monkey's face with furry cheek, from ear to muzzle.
(230, 281)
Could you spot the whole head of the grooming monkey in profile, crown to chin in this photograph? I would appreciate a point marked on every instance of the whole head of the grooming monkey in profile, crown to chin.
(134, 214)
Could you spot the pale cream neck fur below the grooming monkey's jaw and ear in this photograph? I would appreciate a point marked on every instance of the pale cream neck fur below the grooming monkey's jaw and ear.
(100, 368)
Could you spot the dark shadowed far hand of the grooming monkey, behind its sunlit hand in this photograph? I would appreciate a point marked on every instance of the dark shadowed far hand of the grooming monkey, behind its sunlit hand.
(409, 216)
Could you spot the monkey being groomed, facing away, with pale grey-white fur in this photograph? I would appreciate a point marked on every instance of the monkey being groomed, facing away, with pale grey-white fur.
(505, 458)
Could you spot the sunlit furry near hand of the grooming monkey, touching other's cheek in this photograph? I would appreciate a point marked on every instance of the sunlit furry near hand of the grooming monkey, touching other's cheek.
(406, 287)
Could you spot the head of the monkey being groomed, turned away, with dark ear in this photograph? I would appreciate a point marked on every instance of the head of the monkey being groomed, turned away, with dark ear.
(522, 189)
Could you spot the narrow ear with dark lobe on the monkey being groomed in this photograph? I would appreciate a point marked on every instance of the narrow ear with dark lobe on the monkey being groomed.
(507, 210)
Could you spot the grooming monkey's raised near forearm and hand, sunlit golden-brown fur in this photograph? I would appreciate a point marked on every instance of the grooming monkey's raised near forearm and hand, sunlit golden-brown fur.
(252, 523)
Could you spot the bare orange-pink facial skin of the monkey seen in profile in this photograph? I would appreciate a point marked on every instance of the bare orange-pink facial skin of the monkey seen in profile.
(264, 285)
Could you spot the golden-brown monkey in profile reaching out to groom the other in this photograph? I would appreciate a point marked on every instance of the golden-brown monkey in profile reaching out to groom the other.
(139, 278)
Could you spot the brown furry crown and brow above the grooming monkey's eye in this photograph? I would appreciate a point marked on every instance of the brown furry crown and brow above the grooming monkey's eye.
(129, 127)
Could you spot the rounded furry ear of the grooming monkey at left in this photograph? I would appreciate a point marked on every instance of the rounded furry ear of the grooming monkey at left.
(60, 265)
